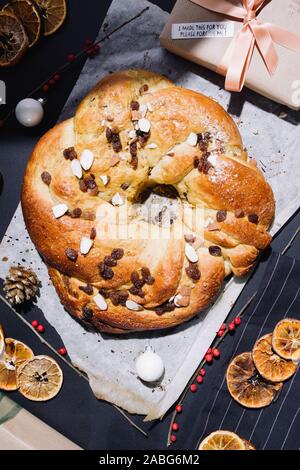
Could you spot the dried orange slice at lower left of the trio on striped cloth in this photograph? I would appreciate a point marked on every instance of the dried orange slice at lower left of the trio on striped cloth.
(245, 384)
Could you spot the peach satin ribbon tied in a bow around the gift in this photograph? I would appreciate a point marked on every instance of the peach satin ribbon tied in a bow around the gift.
(237, 58)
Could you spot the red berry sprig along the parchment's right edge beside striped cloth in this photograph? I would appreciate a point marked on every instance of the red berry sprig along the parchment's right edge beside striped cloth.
(198, 378)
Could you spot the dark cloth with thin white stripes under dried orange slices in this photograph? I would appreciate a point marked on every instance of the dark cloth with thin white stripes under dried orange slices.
(278, 425)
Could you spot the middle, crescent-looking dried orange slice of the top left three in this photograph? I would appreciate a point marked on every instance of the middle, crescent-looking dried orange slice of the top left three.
(28, 13)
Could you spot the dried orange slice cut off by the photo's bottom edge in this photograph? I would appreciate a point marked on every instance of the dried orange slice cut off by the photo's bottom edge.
(222, 440)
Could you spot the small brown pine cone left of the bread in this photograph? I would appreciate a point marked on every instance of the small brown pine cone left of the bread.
(20, 284)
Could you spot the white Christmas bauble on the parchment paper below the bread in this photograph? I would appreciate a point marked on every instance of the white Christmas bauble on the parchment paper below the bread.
(149, 366)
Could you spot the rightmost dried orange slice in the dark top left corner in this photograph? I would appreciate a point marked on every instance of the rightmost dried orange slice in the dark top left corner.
(53, 13)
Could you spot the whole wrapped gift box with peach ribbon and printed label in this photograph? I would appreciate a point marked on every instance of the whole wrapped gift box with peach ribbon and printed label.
(254, 42)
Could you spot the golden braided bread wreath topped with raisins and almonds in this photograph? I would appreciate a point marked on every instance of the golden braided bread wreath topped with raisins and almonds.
(136, 129)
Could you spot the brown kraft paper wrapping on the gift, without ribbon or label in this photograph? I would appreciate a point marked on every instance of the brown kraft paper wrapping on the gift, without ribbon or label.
(283, 87)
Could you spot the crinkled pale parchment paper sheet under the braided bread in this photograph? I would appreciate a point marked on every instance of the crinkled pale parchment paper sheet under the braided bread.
(109, 361)
